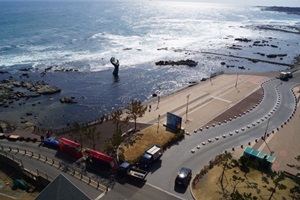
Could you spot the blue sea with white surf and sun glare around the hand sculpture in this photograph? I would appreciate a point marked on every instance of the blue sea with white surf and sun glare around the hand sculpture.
(83, 36)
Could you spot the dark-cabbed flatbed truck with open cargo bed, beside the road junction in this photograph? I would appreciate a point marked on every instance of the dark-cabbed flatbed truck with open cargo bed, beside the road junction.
(126, 170)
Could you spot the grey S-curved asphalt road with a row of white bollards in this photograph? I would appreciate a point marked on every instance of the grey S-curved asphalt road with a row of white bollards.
(276, 107)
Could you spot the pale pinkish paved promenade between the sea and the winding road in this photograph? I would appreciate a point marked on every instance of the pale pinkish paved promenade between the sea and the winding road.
(199, 104)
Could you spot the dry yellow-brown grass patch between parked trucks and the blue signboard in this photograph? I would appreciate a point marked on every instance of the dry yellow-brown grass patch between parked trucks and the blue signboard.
(134, 147)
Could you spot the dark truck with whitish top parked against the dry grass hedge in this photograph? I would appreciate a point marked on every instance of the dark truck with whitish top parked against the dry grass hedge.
(151, 155)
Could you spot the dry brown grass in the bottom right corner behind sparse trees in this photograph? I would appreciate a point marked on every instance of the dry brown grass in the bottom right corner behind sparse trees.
(255, 182)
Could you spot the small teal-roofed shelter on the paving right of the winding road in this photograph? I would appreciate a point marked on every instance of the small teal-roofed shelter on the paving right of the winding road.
(263, 159)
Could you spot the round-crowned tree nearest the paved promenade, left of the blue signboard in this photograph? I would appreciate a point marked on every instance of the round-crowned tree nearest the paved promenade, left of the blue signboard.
(134, 110)
